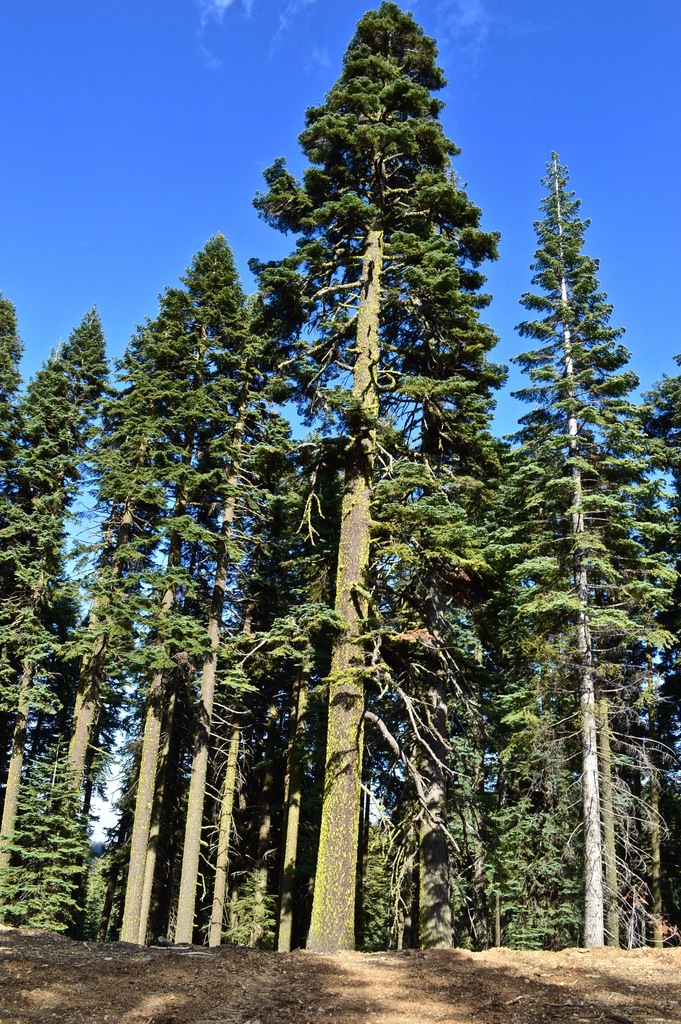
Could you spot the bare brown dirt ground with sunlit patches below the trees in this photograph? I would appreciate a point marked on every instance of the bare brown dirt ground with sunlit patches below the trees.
(47, 978)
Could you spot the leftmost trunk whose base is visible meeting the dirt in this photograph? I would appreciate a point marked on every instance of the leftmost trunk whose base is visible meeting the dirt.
(148, 771)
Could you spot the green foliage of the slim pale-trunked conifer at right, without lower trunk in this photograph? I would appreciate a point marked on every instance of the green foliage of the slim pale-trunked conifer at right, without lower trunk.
(583, 421)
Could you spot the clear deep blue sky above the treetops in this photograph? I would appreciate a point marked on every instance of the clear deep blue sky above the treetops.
(133, 131)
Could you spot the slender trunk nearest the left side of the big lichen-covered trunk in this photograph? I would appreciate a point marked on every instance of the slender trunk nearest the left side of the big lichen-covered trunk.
(293, 797)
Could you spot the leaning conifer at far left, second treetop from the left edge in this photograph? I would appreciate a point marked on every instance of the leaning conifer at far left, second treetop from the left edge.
(58, 418)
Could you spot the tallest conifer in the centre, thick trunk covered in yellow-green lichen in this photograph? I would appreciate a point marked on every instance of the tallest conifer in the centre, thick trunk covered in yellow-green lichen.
(387, 265)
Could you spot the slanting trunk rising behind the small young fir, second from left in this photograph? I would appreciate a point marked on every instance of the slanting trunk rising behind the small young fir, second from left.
(94, 667)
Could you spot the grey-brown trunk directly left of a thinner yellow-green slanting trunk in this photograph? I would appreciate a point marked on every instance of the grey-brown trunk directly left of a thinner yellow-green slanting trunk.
(195, 812)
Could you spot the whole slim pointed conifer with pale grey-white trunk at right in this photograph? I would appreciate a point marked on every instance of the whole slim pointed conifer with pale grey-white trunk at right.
(583, 499)
